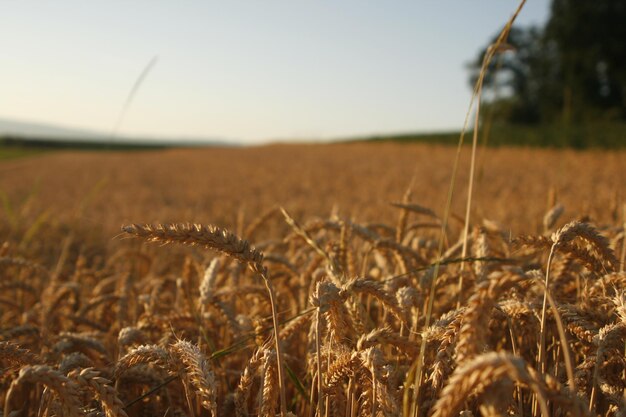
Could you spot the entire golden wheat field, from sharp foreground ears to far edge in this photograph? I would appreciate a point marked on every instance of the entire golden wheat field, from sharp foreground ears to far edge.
(313, 280)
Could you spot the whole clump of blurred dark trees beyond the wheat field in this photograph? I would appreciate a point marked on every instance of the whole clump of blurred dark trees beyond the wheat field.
(570, 73)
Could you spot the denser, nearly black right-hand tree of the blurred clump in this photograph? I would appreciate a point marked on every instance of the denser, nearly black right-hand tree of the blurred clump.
(590, 40)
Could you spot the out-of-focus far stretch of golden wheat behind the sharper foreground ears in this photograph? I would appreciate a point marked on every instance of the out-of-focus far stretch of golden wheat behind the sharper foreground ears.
(95, 192)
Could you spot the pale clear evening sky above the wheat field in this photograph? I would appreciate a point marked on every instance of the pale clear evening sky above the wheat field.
(248, 71)
